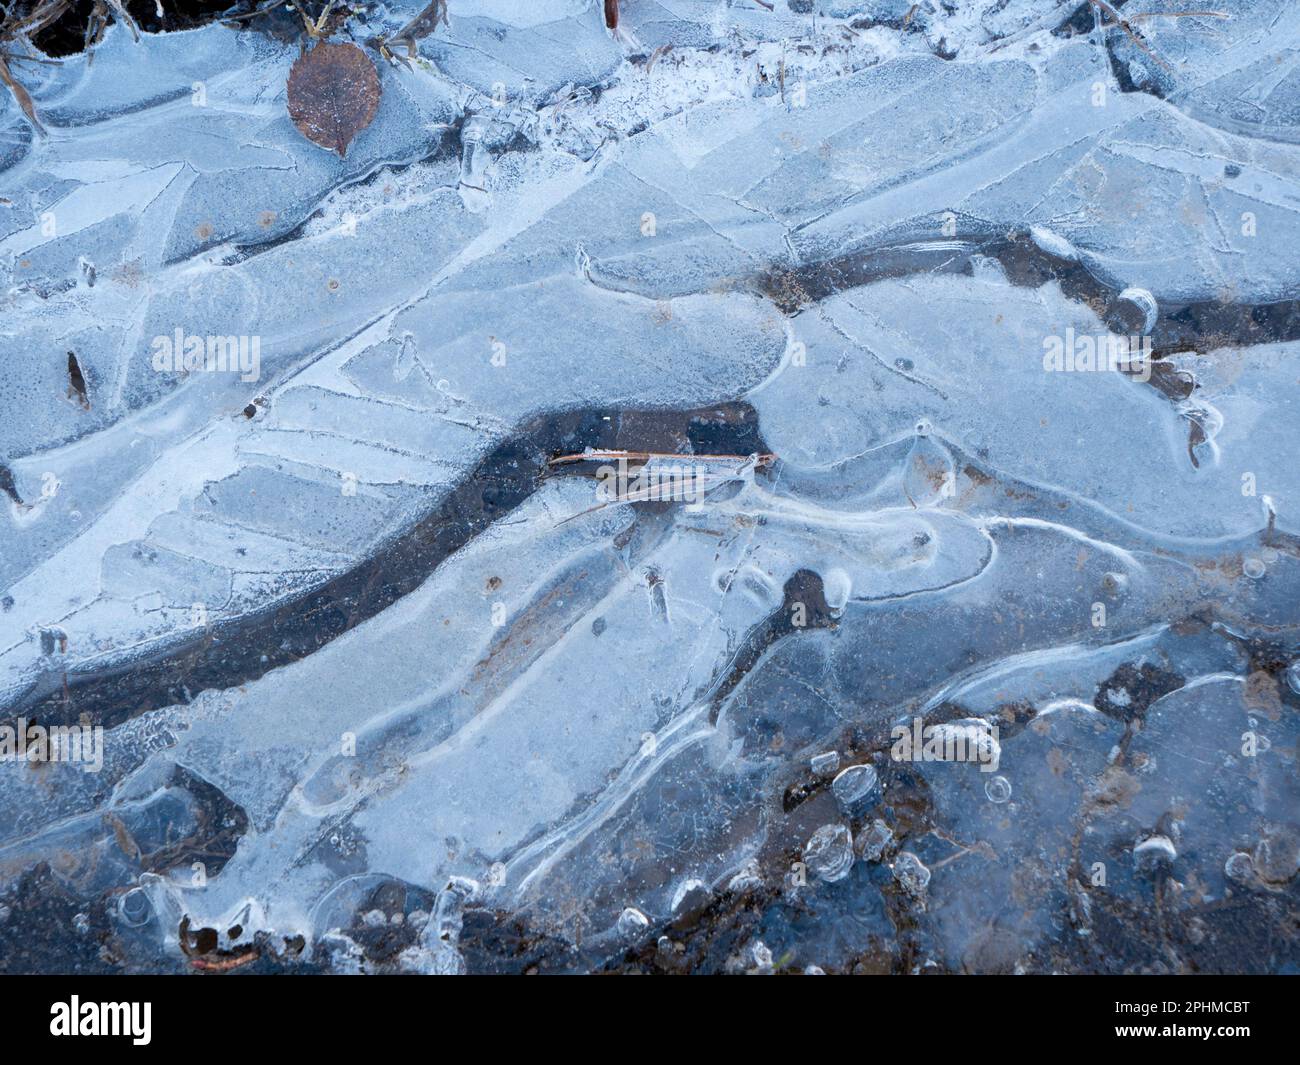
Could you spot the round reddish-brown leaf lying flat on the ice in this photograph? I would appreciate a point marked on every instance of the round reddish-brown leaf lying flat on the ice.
(333, 94)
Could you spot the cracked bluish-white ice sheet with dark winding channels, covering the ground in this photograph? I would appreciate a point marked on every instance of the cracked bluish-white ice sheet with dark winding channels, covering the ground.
(393, 682)
